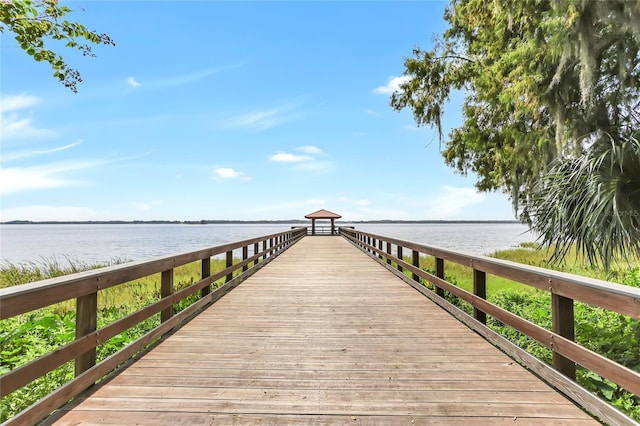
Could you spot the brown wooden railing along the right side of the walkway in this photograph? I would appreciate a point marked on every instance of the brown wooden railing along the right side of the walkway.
(564, 289)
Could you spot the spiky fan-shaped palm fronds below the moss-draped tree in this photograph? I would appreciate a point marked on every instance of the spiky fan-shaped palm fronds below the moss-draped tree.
(592, 201)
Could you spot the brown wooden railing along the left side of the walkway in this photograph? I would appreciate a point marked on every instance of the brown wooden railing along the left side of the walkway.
(84, 288)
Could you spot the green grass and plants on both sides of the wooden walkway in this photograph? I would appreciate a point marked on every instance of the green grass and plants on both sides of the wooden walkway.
(29, 336)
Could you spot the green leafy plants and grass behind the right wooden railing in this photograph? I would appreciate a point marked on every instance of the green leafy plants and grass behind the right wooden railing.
(610, 334)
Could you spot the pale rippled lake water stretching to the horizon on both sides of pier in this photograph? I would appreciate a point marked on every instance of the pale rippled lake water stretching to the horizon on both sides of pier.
(102, 243)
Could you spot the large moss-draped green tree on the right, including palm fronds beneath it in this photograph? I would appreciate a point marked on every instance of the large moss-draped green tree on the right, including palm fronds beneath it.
(552, 94)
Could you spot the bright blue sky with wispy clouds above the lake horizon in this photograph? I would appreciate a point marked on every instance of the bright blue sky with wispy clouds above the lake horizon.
(230, 110)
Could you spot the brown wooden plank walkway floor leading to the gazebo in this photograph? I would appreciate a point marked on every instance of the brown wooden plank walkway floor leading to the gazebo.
(324, 335)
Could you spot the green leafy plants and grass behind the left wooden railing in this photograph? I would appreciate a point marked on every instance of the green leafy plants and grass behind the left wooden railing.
(29, 336)
